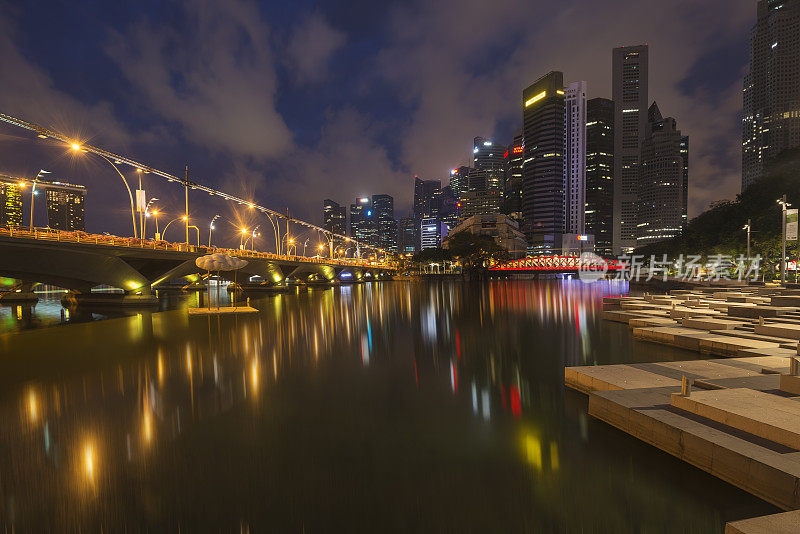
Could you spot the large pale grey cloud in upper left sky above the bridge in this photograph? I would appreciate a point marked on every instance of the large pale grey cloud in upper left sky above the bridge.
(215, 77)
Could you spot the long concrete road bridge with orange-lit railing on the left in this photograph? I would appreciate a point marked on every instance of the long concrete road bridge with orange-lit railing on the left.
(79, 261)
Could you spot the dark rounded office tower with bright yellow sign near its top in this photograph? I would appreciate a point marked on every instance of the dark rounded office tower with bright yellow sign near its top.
(543, 164)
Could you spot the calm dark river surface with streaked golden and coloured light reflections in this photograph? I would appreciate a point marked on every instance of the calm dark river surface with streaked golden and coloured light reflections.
(378, 407)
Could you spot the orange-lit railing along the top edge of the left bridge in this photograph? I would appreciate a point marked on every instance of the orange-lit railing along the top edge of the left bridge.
(52, 234)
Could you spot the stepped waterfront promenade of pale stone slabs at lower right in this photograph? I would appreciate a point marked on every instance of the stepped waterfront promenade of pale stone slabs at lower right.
(735, 417)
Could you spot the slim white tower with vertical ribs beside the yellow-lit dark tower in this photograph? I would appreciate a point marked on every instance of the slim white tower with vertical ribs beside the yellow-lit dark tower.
(575, 157)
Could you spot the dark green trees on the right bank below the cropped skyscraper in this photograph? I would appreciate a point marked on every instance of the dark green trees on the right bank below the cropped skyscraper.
(719, 229)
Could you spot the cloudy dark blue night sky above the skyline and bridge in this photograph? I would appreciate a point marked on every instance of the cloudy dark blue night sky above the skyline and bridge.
(289, 103)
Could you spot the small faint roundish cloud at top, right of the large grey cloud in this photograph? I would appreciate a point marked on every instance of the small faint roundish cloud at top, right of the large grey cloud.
(312, 44)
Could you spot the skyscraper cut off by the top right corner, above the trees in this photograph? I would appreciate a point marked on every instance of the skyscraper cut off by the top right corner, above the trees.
(771, 96)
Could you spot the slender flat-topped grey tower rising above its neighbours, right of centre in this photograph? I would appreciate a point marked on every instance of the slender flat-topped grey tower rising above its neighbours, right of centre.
(629, 91)
